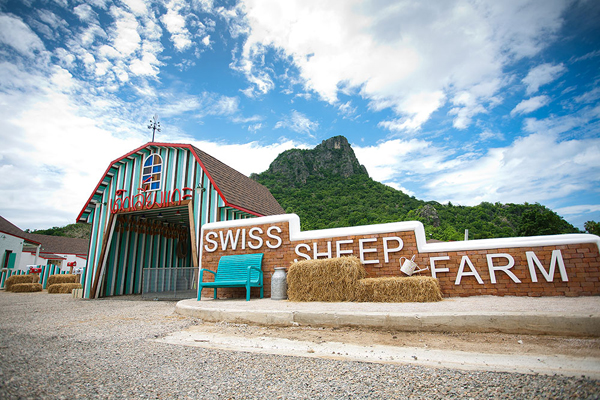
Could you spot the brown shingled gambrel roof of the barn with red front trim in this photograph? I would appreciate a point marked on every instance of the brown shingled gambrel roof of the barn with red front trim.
(236, 189)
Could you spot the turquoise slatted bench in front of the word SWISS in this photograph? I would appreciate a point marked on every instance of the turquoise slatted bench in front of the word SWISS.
(235, 271)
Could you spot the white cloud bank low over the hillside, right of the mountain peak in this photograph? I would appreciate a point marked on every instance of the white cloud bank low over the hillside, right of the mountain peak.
(544, 166)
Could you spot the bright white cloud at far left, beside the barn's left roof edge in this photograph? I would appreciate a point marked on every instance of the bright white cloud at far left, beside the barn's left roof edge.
(46, 148)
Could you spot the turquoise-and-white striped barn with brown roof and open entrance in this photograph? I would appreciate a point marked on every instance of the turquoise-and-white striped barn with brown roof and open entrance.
(147, 212)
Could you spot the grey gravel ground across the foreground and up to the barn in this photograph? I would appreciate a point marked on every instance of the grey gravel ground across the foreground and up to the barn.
(55, 347)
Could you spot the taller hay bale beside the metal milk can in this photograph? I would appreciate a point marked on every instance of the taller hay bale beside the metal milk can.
(332, 279)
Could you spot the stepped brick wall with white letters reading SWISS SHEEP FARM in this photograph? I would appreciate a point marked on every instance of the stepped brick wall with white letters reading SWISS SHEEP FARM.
(581, 260)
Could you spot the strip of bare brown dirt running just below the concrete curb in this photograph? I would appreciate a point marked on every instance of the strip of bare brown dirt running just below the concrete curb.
(491, 343)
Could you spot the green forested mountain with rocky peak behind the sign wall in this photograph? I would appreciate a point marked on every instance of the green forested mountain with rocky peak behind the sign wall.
(328, 188)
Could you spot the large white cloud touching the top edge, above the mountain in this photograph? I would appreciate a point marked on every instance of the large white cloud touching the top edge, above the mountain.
(402, 55)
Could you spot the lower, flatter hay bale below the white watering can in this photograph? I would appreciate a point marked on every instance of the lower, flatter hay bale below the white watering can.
(421, 289)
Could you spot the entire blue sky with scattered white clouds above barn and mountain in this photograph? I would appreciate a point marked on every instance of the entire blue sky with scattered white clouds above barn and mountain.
(453, 100)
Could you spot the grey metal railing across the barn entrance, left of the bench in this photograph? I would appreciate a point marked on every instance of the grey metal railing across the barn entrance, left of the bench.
(169, 283)
